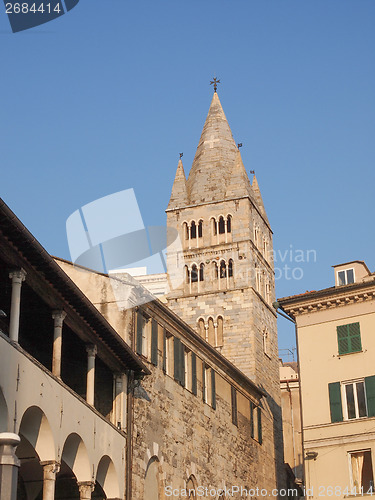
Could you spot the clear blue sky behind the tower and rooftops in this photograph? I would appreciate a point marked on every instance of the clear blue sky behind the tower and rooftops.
(106, 97)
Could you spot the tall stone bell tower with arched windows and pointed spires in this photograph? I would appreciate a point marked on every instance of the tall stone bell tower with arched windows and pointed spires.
(227, 261)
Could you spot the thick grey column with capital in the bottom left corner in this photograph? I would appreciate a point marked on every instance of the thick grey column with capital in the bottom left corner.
(9, 464)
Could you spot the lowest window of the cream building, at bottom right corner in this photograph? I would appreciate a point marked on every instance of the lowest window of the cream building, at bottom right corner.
(361, 472)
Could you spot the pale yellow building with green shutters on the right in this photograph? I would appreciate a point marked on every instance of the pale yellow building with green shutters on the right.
(336, 346)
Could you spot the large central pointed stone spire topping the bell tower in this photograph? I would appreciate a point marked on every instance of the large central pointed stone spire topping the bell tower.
(214, 159)
